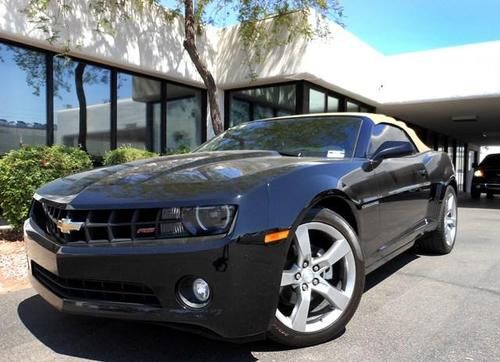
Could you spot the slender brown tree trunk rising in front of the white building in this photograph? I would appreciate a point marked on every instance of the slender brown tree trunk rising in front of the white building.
(206, 75)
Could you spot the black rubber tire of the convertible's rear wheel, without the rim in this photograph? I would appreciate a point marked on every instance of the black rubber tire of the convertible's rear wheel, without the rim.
(435, 241)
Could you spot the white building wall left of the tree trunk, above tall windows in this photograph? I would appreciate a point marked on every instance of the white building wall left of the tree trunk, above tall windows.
(146, 44)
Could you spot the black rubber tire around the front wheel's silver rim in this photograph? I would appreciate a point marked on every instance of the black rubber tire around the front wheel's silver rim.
(281, 333)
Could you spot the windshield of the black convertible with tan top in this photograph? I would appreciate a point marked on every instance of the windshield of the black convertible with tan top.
(333, 137)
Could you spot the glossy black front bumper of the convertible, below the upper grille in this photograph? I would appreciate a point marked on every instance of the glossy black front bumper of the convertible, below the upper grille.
(244, 280)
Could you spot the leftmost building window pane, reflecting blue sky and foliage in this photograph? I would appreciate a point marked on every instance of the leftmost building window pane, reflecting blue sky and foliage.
(22, 98)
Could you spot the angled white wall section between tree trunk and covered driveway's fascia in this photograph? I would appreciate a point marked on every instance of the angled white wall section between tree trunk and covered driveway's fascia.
(339, 61)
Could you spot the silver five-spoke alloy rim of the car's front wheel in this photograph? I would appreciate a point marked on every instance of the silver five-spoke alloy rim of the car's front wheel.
(319, 278)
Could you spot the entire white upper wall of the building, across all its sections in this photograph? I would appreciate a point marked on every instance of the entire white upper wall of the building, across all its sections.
(340, 62)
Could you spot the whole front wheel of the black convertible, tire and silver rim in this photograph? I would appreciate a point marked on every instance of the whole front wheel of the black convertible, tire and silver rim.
(322, 281)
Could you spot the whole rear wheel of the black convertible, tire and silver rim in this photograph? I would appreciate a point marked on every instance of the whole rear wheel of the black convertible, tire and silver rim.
(442, 240)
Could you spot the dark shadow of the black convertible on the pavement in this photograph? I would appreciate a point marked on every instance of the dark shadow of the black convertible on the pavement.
(113, 340)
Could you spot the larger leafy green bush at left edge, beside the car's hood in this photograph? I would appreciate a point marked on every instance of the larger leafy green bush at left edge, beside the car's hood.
(24, 170)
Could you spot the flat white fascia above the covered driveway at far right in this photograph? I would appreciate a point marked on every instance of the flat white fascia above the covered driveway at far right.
(450, 73)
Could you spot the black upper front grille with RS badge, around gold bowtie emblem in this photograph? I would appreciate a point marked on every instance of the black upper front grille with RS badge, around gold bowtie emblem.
(106, 226)
